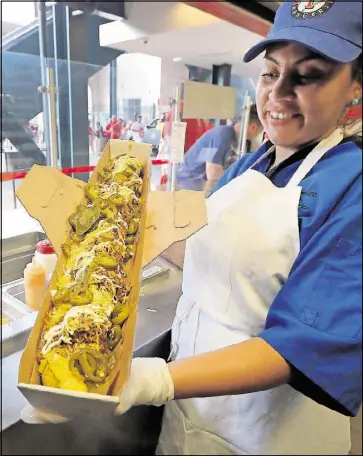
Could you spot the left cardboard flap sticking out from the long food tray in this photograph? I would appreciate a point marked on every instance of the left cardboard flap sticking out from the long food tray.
(50, 197)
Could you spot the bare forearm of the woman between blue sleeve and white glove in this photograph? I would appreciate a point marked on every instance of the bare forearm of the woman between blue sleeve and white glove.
(243, 368)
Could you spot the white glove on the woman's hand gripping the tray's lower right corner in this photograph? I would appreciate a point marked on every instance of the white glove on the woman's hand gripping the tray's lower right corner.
(150, 383)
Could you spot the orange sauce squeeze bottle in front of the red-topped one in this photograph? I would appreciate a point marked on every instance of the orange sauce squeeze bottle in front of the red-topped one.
(34, 284)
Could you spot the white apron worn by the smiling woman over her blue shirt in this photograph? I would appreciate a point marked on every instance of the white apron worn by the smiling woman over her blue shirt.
(234, 267)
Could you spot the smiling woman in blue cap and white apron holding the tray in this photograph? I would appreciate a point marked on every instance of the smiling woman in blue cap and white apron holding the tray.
(266, 343)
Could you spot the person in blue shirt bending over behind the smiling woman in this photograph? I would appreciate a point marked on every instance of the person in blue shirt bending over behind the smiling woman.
(206, 160)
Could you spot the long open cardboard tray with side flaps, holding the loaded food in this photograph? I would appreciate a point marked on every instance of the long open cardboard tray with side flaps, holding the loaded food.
(50, 197)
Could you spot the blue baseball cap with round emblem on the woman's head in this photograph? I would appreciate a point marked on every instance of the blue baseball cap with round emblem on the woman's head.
(332, 28)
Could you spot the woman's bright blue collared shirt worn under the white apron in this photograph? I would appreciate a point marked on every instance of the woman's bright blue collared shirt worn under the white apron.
(315, 322)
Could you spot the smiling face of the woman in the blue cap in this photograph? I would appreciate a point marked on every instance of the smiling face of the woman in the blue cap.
(302, 96)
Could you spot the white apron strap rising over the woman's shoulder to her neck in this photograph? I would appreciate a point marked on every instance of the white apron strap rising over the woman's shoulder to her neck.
(314, 156)
